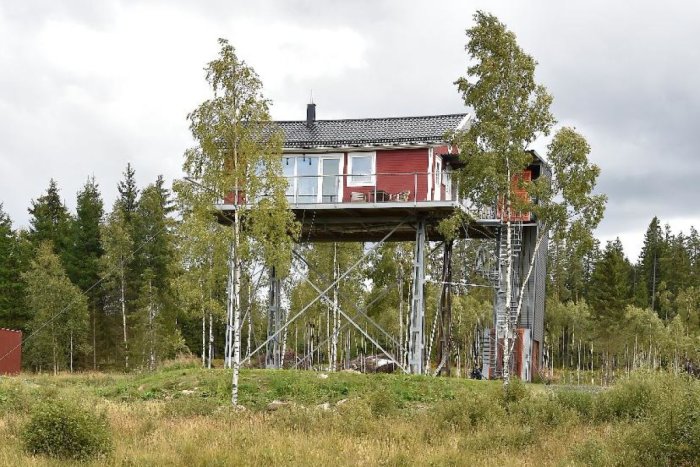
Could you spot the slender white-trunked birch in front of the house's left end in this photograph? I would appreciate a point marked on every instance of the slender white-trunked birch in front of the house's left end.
(238, 157)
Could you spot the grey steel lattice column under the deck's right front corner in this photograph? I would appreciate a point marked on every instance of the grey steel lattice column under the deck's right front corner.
(416, 340)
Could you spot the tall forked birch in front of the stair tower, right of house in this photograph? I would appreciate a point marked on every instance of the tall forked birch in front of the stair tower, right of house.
(510, 112)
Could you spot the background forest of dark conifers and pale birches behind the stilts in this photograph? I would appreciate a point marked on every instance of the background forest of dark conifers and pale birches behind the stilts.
(119, 289)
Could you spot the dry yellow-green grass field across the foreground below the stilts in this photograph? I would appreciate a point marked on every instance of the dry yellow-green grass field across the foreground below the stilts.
(181, 415)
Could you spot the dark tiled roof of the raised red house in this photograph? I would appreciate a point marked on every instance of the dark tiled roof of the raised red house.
(369, 131)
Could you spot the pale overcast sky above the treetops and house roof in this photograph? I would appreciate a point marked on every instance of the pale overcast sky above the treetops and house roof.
(87, 86)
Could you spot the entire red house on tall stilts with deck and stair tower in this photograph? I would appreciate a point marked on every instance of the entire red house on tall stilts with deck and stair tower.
(390, 179)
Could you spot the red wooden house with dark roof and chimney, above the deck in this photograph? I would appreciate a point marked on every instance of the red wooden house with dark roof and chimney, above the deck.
(401, 159)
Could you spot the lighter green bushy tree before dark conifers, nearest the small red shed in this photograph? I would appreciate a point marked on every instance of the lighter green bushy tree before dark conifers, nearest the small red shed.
(60, 314)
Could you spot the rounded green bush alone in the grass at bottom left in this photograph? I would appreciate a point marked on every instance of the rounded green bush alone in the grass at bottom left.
(64, 430)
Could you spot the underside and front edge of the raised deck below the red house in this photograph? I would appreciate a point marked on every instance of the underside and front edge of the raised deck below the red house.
(370, 222)
